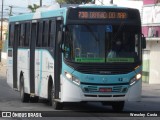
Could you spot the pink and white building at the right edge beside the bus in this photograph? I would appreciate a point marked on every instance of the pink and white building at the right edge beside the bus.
(151, 30)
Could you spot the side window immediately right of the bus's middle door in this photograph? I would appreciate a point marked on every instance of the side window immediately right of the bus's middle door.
(40, 34)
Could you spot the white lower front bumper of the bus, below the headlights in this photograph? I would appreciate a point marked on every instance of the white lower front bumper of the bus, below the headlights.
(74, 93)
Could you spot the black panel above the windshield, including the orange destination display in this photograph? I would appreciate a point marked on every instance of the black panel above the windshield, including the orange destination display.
(104, 15)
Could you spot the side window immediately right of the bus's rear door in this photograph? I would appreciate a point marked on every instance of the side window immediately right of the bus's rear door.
(22, 35)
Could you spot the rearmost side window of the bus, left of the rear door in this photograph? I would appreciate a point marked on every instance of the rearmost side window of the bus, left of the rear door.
(11, 34)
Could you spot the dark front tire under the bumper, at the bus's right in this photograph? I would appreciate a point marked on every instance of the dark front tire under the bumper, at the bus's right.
(118, 106)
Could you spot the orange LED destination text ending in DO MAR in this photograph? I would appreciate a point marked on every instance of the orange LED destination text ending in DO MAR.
(101, 15)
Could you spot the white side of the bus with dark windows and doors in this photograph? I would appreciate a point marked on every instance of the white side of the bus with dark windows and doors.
(37, 63)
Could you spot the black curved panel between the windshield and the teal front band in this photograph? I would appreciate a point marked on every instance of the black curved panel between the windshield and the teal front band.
(103, 68)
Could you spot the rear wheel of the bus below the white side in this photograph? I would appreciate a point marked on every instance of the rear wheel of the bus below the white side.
(24, 96)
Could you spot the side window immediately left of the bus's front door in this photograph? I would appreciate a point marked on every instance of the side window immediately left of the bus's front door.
(52, 33)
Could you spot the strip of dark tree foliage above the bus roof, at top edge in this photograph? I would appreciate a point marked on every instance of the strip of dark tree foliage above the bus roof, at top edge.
(73, 1)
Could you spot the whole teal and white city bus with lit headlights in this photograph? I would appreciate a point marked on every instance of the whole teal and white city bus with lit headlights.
(86, 53)
